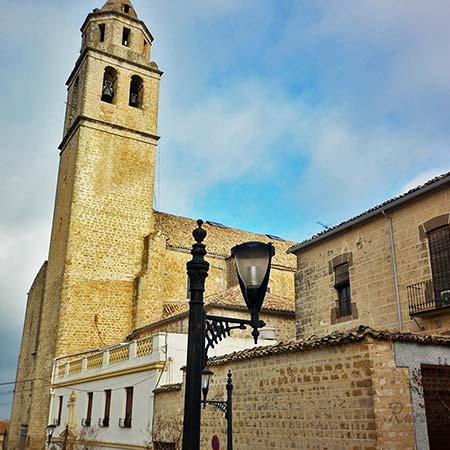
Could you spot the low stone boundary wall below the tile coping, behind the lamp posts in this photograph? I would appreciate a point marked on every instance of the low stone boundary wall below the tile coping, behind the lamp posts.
(335, 397)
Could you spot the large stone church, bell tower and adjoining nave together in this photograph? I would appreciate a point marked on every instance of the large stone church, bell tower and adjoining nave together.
(114, 264)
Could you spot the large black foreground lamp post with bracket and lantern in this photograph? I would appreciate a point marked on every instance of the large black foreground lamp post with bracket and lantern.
(205, 331)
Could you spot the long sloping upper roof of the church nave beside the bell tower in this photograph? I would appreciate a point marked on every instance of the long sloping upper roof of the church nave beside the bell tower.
(219, 241)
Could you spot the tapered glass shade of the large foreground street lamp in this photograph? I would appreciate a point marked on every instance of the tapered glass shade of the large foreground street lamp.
(252, 261)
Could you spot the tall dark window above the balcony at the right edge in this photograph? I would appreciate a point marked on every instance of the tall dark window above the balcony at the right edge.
(439, 243)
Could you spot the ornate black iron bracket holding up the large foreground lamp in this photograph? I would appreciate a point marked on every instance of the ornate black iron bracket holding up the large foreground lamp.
(218, 328)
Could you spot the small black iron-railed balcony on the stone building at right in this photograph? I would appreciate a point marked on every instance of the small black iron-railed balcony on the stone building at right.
(423, 300)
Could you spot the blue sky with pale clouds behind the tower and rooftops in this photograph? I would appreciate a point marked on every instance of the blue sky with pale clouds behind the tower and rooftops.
(274, 115)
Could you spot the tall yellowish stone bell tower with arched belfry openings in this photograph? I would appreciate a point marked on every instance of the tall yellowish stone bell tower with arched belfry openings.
(83, 297)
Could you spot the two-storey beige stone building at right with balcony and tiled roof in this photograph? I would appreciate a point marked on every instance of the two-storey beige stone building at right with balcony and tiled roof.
(389, 267)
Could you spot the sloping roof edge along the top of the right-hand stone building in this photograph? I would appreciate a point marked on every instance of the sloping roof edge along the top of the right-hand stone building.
(375, 210)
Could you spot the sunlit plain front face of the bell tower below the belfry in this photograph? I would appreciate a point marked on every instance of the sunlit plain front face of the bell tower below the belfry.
(110, 215)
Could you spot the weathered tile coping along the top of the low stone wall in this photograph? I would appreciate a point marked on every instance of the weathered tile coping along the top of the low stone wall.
(336, 338)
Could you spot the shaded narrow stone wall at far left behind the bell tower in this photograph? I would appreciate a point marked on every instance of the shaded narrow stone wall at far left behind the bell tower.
(26, 367)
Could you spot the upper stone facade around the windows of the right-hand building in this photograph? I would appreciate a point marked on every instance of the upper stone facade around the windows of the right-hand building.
(371, 274)
